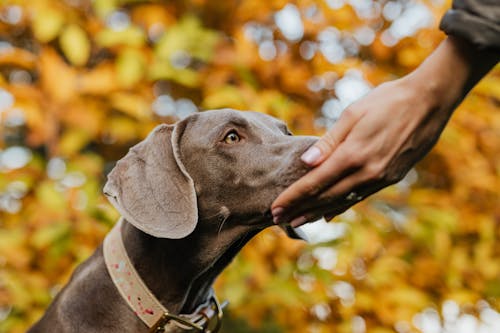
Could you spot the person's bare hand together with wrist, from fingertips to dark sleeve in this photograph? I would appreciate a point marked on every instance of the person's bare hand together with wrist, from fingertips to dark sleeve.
(380, 137)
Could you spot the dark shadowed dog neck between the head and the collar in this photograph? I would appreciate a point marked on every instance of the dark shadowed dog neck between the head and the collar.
(180, 272)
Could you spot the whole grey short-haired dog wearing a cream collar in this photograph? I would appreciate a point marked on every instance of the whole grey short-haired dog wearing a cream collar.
(190, 195)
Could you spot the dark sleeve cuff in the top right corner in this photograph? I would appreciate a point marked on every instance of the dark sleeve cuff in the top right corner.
(477, 21)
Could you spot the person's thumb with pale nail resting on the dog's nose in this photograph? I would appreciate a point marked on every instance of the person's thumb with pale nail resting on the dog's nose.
(324, 147)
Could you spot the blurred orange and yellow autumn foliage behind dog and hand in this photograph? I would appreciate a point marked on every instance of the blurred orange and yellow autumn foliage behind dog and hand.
(81, 81)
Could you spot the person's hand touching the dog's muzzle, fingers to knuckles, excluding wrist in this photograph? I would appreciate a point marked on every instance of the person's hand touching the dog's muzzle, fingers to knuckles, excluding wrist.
(374, 144)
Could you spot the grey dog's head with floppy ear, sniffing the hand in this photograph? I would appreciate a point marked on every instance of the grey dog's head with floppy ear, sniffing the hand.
(213, 162)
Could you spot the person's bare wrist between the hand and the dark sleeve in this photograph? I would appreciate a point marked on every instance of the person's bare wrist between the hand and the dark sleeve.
(450, 72)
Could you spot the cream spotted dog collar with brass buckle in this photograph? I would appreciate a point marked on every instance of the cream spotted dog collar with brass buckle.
(206, 318)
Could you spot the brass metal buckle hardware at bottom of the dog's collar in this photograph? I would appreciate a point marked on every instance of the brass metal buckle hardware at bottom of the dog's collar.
(159, 327)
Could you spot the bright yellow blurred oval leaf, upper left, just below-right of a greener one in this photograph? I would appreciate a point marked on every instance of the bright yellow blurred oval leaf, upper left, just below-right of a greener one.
(75, 45)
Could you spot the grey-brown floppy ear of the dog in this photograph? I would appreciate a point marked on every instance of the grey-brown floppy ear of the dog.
(151, 188)
